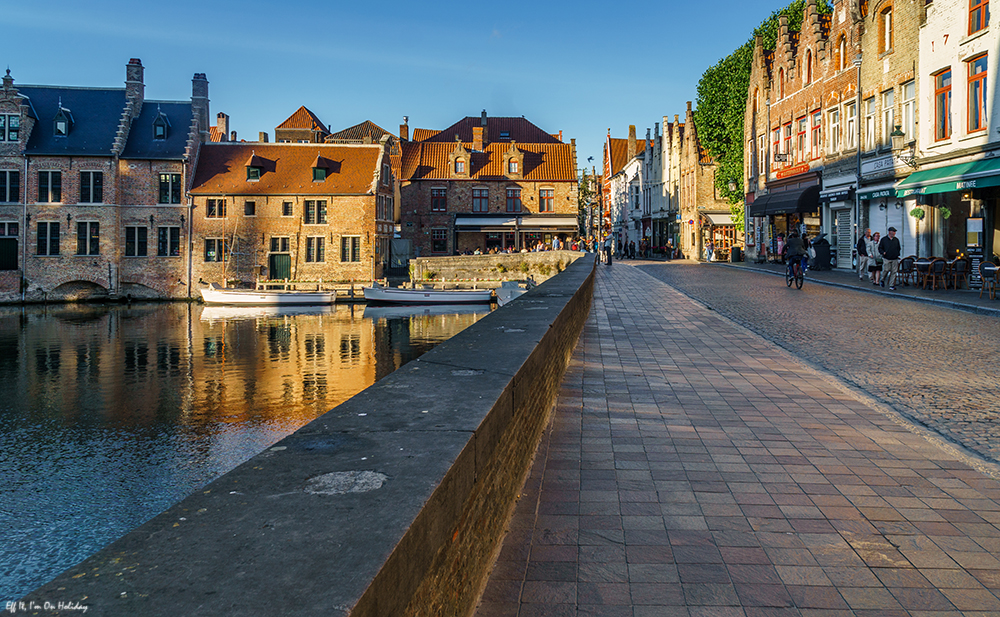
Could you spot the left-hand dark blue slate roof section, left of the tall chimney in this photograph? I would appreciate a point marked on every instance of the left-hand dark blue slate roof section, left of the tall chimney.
(96, 113)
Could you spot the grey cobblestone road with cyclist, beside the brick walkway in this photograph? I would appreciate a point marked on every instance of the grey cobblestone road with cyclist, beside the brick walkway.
(934, 364)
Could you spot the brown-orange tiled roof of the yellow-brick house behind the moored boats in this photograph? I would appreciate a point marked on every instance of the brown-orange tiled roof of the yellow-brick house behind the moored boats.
(286, 169)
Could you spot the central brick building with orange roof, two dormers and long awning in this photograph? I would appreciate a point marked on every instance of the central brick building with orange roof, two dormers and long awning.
(487, 183)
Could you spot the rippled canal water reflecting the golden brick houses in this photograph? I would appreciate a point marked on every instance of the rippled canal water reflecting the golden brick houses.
(108, 416)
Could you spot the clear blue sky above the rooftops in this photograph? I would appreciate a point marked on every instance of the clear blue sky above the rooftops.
(577, 67)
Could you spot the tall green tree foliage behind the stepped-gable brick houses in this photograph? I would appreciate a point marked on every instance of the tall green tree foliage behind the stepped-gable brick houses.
(722, 101)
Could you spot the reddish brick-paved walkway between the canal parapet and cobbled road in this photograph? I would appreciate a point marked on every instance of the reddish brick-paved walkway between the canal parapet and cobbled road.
(692, 468)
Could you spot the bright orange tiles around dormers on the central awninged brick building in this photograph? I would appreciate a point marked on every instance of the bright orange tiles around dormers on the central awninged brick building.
(429, 160)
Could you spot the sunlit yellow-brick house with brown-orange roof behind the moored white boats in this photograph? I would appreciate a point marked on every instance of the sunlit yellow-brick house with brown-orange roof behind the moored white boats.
(290, 211)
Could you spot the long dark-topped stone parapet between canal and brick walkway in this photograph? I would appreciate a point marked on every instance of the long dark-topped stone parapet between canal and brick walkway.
(393, 503)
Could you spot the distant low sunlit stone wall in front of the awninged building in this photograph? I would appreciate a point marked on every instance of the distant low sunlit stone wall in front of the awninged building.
(503, 267)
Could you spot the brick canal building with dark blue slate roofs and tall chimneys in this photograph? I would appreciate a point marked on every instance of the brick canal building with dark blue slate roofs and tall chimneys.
(92, 189)
